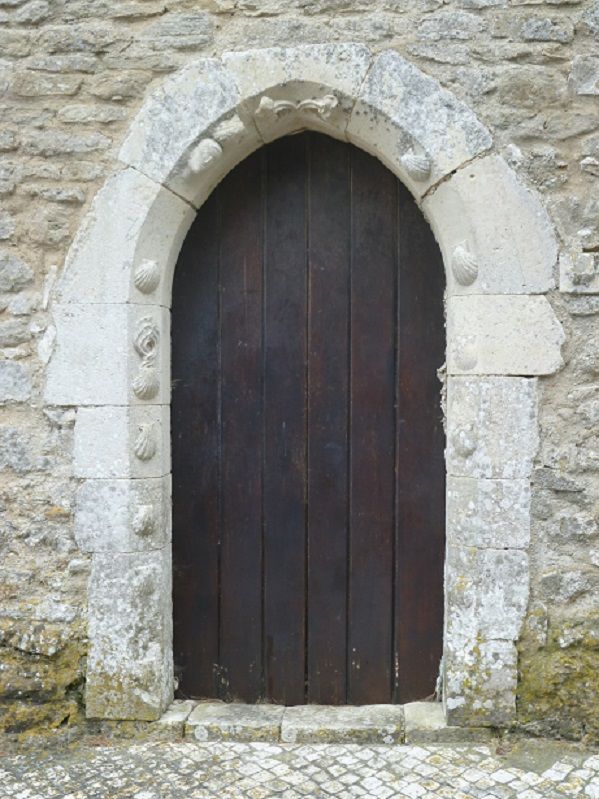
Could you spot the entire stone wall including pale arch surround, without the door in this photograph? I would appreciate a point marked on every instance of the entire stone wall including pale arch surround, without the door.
(116, 121)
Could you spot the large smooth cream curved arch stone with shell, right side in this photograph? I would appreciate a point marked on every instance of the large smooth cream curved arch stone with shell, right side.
(494, 233)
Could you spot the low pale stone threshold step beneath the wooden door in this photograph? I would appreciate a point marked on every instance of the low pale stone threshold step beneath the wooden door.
(417, 722)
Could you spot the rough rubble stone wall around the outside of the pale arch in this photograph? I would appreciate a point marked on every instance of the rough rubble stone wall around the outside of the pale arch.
(72, 76)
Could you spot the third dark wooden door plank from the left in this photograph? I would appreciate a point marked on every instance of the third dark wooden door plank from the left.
(284, 420)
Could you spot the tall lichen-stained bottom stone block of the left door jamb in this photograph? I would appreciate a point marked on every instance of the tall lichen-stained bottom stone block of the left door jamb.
(129, 672)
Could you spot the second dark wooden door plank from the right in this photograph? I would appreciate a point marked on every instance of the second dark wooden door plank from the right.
(373, 289)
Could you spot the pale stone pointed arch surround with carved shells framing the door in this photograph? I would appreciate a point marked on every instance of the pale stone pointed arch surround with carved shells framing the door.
(111, 356)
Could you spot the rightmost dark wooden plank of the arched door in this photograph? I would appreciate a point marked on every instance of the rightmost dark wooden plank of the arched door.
(420, 546)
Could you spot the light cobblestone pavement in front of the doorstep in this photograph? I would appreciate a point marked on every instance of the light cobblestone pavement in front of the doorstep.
(263, 770)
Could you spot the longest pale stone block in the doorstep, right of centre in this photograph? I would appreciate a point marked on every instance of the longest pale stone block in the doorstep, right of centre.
(322, 724)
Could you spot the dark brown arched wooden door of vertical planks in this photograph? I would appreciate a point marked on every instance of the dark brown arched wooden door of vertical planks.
(308, 469)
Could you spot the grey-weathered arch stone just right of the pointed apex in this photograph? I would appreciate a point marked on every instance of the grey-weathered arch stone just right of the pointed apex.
(402, 115)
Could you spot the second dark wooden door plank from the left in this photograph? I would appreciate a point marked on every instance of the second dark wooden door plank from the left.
(241, 425)
